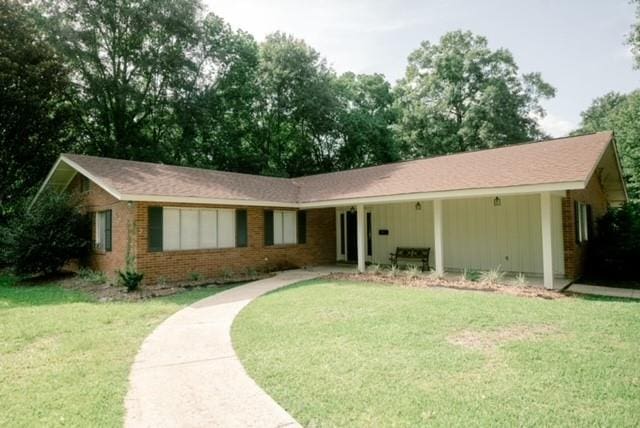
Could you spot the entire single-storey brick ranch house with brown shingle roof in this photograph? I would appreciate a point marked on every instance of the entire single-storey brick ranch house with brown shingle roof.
(527, 208)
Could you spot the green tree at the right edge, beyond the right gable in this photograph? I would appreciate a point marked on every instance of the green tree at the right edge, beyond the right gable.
(620, 113)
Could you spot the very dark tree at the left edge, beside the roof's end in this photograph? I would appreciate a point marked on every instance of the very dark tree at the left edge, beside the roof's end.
(34, 118)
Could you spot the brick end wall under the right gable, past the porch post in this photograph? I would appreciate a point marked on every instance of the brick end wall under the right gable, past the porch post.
(574, 253)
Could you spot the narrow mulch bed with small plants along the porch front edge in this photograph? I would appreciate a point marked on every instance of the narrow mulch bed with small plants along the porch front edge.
(458, 284)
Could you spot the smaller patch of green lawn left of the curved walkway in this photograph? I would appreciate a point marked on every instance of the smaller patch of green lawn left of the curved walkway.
(65, 358)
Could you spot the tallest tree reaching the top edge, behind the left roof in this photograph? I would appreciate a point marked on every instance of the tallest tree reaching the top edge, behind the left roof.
(132, 62)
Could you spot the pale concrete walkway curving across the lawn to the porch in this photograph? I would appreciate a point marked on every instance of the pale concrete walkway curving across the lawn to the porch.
(187, 374)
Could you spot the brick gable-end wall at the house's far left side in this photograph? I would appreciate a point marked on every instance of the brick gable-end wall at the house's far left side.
(123, 215)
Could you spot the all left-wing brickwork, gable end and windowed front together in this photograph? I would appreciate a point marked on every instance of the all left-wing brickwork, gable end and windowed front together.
(130, 229)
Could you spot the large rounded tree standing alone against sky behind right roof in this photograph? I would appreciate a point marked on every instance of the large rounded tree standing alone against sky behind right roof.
(460, 95)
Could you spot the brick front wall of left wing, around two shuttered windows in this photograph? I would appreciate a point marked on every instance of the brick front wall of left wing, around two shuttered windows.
(177, 265)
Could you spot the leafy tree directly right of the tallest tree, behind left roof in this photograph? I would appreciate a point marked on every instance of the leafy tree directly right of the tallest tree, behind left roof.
(218, 121)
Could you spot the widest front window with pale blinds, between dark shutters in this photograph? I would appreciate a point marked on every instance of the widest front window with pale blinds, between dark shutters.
(191, 228)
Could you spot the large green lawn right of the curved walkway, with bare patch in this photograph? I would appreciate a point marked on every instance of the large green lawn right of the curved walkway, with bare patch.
(350, 354)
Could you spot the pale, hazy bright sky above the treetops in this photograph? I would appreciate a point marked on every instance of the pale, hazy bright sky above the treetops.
(578, 46)
